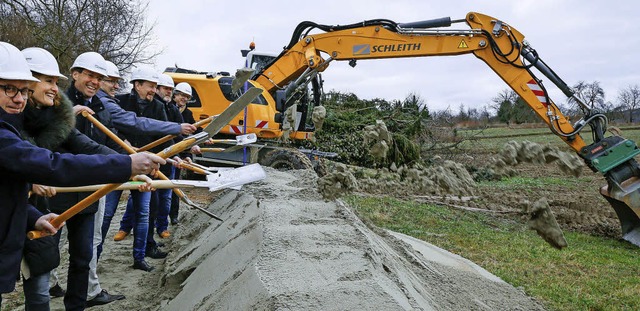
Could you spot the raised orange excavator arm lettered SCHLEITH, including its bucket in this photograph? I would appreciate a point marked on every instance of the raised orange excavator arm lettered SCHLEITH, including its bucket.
(503, 49)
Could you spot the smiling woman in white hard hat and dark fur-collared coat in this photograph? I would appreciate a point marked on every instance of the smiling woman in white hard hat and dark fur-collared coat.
(49, 122)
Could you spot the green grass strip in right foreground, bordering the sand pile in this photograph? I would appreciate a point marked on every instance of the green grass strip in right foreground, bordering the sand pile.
(593, 273)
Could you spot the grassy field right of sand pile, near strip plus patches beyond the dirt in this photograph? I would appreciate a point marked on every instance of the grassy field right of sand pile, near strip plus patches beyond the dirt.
(593, 273)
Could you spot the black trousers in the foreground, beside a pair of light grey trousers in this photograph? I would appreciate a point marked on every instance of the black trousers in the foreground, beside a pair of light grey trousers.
(80, 239)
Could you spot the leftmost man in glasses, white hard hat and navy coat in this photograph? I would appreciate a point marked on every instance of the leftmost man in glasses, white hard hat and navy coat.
(22, 163)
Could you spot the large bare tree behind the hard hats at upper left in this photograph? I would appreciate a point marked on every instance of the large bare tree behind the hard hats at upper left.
(117, 29)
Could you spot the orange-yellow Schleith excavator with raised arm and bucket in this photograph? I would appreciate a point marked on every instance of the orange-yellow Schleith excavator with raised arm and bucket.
(285, 78)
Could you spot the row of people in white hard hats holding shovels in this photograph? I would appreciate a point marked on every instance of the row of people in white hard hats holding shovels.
(45, 141)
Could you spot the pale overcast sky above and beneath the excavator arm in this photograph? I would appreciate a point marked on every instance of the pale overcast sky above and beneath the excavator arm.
(588, 40)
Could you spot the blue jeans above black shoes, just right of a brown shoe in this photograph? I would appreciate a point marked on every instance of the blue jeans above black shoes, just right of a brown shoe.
(139, 221)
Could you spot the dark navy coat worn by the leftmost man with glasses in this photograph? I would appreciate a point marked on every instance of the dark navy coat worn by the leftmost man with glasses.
(22, 163)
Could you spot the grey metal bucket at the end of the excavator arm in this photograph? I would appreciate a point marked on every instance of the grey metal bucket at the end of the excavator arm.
(625, 200)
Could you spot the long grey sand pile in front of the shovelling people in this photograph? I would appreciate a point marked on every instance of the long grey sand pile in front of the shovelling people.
(283, 247)
